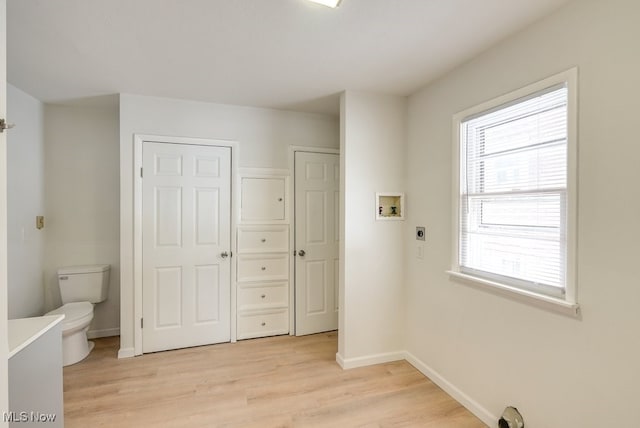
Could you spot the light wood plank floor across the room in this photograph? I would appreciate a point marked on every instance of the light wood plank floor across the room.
(273, 382)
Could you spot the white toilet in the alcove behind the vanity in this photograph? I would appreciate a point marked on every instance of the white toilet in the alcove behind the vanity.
(80, 288)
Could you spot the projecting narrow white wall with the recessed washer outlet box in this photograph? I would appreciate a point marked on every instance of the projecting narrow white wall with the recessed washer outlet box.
(372, 280)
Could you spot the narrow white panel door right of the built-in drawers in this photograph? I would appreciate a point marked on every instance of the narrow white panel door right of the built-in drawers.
(317, 184)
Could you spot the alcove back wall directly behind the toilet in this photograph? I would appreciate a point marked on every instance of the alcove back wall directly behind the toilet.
(82, 200)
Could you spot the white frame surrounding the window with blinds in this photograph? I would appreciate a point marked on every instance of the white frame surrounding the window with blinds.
(567, 301)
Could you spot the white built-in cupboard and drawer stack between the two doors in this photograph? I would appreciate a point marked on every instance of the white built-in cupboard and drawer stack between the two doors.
(262, 249)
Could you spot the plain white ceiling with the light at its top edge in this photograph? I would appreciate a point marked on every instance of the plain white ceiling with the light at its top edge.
(287, 54)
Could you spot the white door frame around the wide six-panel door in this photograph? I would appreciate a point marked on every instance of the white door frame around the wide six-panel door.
(139, 139)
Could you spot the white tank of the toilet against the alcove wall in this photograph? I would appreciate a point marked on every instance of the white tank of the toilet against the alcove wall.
(84, 283)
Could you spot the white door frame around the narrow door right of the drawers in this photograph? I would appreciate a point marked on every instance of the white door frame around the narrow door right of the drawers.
(292, 216)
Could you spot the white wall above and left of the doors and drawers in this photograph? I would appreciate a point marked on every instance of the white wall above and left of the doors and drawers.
(263, 137)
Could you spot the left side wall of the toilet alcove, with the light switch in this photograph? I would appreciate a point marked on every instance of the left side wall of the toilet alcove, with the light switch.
(25, 194)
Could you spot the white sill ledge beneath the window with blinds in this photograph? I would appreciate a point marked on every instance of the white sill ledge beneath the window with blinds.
(547, 302)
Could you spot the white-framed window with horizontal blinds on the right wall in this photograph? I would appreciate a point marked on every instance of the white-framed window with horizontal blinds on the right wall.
(516, 198)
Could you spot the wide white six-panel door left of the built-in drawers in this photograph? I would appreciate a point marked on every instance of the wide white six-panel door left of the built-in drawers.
(186, 239)
